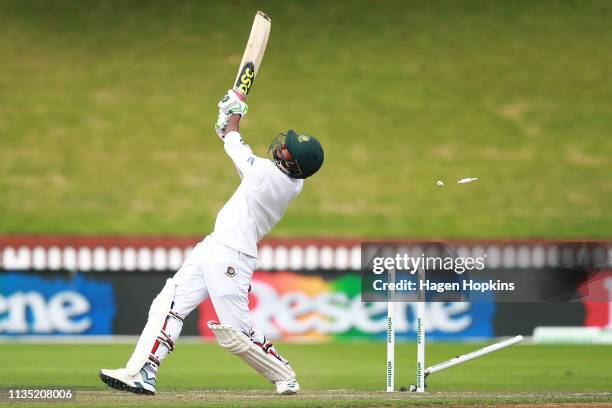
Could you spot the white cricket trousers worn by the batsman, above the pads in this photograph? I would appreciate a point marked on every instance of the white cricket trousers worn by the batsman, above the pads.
(221, 273)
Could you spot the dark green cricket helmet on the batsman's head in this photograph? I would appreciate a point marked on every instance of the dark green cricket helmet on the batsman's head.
(306, 154)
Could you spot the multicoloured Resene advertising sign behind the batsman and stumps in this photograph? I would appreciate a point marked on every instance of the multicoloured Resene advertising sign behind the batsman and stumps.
(292, 306)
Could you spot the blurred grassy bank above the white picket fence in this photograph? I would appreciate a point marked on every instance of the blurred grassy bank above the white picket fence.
(107, 108)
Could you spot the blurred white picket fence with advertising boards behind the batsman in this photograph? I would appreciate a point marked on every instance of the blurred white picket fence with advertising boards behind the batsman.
(304, 289)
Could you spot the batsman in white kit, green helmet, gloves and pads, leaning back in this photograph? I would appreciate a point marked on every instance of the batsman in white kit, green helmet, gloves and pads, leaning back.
(221, 266)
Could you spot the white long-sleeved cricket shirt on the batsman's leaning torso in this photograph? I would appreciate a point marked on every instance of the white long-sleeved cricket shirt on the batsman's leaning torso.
(259, 202)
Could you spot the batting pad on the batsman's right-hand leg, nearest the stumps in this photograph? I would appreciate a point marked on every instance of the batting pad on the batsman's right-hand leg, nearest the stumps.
(241, 345)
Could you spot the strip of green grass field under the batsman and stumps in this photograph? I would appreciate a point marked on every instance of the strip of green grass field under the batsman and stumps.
(331, 374)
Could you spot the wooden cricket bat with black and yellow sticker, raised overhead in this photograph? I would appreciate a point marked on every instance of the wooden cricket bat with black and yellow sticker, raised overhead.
(253, 54)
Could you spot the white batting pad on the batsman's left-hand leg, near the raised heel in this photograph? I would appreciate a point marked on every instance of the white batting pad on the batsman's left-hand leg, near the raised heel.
(157, 316)
